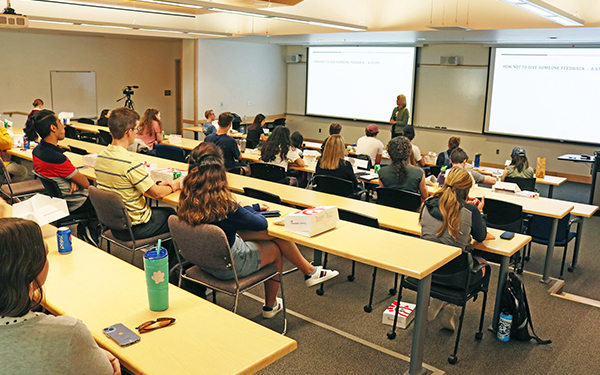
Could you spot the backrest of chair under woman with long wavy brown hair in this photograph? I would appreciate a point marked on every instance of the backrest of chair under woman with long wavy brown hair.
(204, 245)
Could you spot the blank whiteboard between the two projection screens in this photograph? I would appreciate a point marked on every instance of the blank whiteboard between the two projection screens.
(451, 97)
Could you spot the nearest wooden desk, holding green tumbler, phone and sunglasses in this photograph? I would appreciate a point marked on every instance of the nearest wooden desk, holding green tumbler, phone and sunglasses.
(102, 290)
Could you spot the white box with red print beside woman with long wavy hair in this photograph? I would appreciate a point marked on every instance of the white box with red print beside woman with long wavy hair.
(312, 221)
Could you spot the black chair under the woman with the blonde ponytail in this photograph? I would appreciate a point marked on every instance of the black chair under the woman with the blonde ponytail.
(452, 284)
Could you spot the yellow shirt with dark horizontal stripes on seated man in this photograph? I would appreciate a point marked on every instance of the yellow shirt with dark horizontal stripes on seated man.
(118, 171)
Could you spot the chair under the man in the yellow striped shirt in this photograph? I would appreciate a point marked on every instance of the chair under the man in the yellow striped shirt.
(113, 215)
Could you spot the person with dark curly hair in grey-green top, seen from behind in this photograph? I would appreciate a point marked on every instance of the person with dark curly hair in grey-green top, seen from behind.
(400, 174)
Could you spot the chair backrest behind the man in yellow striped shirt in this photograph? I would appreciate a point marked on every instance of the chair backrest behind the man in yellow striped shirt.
(110, 209)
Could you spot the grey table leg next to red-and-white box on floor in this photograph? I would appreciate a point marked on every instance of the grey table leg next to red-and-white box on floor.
(416, 353)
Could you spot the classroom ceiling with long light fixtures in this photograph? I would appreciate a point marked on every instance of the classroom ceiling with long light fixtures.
(387, 21)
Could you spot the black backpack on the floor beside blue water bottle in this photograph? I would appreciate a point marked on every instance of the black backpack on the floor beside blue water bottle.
(514, 299)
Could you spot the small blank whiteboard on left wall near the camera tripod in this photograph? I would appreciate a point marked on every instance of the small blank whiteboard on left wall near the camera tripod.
(74, 92)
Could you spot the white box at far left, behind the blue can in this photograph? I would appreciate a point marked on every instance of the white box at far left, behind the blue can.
(41, 209)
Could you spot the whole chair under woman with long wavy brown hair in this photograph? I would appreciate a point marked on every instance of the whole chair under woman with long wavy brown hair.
(206, 246)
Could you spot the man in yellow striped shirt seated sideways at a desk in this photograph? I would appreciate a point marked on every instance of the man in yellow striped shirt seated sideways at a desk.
(119, 172)
